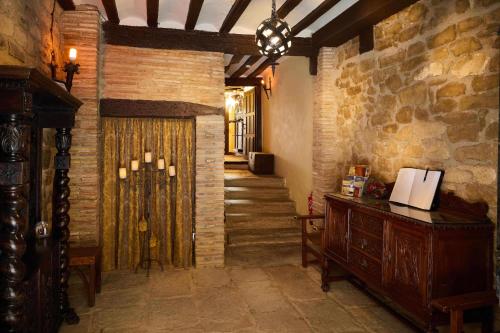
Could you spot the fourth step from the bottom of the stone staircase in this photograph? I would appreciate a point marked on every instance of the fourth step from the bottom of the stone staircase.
(260, 206)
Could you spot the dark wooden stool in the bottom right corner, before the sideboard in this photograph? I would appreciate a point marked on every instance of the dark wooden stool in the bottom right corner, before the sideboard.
(456, 305)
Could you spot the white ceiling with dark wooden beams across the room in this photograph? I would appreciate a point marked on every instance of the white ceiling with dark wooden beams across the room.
(329, 23)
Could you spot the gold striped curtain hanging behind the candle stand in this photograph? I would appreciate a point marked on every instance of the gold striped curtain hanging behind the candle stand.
(126, 200)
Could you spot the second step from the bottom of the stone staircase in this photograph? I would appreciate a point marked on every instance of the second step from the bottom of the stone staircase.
(263, 237)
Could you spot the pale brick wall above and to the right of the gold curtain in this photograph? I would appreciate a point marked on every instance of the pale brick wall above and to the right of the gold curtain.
(187, 76)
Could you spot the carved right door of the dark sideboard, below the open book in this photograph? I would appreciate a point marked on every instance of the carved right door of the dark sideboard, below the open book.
(405, 264)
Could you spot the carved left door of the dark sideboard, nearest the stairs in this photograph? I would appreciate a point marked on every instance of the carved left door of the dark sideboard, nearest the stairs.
(336, 231)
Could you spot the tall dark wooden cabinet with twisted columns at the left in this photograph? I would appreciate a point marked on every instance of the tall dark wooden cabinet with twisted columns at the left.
(33, 273)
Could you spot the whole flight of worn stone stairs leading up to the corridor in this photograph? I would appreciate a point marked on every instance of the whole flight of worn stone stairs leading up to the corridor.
(260, 229)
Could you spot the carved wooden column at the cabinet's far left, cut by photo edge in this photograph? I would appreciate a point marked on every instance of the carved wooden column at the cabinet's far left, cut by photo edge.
(14, 194)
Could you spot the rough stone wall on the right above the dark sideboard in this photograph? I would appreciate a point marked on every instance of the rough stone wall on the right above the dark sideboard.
(427, 96)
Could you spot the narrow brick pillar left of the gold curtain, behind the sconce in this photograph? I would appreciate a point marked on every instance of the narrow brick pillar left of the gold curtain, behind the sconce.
(81, 29)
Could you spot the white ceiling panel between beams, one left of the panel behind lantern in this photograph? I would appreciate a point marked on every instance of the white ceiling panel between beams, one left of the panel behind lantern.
(212, 14)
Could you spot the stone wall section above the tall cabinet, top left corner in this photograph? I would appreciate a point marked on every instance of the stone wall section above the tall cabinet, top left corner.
(25, 34)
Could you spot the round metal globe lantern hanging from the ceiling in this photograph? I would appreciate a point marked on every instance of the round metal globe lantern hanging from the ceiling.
(273, 37)
